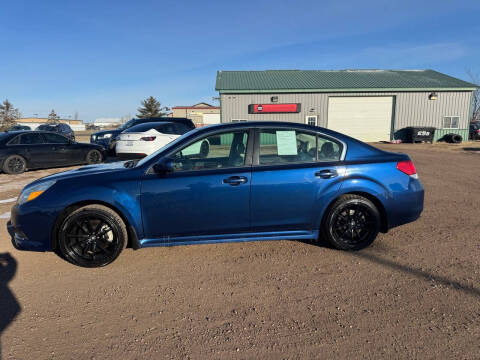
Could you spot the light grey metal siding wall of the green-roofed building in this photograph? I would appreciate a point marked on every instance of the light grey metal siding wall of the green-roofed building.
(410, 108)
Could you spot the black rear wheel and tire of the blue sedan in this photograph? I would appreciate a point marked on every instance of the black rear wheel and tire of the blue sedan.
(352, 223)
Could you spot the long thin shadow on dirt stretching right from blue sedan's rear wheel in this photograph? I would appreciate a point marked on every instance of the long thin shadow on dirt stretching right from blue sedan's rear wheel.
(421, 274)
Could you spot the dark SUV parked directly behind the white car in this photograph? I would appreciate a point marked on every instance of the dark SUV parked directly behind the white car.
(108, 138)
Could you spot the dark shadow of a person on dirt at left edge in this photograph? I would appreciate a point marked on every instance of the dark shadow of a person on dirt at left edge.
(9, 306)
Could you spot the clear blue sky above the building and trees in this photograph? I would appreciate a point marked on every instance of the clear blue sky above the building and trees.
(101, 58)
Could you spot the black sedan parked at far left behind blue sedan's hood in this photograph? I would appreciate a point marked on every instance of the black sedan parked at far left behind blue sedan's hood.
(24, 150)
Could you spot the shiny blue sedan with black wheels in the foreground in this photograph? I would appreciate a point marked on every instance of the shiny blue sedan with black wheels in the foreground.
(258, 181)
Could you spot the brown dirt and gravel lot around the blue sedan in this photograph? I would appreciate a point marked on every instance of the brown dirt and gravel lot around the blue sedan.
(414, 294)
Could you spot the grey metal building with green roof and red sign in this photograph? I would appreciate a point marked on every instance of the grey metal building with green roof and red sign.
(370, 105)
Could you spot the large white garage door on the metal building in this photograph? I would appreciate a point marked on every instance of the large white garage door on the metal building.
(366, 118)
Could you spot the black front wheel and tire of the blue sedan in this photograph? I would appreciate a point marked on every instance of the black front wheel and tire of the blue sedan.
(92, 236)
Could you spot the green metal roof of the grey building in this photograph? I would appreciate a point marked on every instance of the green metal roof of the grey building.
(337, 80)
